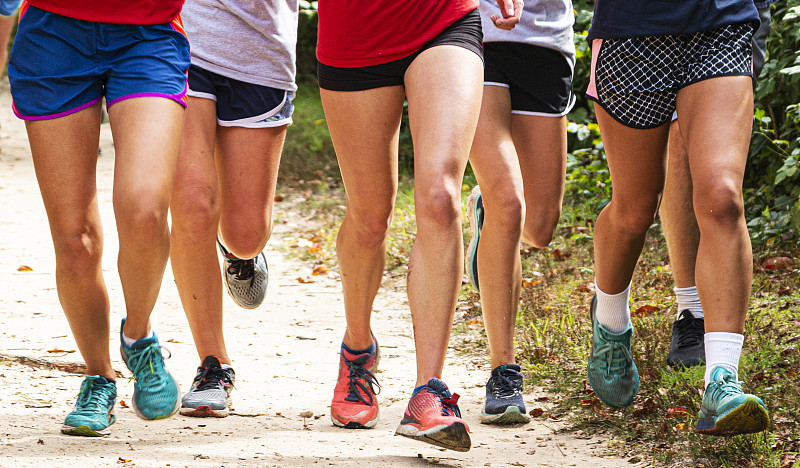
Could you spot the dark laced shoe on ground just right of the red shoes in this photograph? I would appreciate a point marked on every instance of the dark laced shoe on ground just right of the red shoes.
(504, 403)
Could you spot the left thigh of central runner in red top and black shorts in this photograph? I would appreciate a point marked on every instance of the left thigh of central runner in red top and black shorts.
(365, 128)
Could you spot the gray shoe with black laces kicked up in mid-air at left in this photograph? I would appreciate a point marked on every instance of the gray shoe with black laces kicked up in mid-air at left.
(245, 280)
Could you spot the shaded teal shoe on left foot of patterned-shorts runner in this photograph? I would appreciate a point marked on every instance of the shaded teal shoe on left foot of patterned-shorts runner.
(612, 373)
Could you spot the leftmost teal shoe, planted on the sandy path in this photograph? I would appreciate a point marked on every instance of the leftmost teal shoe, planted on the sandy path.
(94, 410)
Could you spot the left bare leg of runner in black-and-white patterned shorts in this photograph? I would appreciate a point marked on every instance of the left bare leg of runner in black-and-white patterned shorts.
(636, 160)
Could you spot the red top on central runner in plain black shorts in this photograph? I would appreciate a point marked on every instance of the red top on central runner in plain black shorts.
(359, 34)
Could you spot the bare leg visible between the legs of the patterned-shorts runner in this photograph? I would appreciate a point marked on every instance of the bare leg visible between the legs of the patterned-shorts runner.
(677, 212)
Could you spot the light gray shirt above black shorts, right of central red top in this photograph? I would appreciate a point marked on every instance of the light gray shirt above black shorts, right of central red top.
(545, 23)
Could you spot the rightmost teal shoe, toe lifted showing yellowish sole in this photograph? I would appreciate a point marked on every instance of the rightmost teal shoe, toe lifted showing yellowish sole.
(726, 410)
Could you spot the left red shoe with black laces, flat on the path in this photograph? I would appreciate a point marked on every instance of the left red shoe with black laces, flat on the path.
(355, 404)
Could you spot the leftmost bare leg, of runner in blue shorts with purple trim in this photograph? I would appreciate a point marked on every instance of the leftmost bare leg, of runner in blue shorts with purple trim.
(65, 159)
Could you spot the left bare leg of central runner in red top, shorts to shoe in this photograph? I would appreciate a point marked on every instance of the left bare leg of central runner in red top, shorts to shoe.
(365, 128)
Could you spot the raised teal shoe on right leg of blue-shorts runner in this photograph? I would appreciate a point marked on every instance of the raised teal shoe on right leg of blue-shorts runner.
(156, 394)
